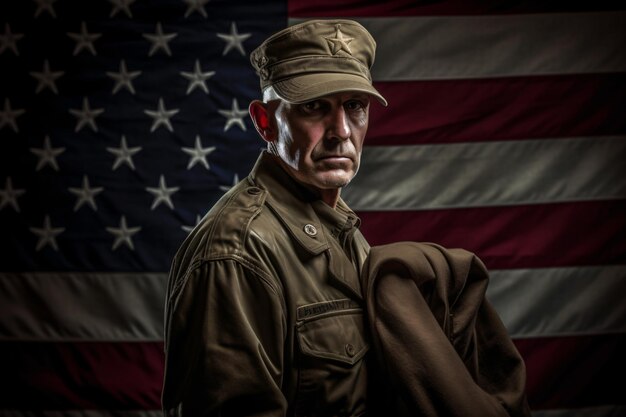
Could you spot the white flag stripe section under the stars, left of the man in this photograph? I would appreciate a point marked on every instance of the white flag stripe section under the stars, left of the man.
(82, 306)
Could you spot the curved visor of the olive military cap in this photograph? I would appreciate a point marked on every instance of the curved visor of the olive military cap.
(311, 86)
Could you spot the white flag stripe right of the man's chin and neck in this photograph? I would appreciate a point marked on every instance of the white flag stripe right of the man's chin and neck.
(482, 174)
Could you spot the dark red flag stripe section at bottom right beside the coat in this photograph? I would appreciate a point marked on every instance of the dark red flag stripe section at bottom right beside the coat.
(575, 371)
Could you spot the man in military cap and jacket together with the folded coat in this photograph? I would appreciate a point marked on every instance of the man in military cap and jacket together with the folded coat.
(266, 304)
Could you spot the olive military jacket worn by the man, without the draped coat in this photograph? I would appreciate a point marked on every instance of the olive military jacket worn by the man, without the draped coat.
(264, 307)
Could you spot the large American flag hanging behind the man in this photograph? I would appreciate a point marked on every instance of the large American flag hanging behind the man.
(123, 121)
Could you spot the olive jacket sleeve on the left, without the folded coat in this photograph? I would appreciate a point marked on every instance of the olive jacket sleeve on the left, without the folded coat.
(225, 332)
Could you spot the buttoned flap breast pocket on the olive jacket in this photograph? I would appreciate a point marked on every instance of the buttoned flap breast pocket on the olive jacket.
(332, 343)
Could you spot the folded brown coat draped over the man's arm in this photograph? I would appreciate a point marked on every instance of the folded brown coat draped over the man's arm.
(440, 346)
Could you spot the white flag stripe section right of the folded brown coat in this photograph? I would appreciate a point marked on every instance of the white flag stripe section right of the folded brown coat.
(560, 301)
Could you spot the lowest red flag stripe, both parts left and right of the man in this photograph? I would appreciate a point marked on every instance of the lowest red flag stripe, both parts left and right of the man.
(563, 372)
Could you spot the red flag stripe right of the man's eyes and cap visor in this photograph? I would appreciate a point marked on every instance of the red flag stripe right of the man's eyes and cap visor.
(448, 111)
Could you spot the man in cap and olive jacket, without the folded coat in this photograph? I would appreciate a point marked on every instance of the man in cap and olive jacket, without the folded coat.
(264, 312)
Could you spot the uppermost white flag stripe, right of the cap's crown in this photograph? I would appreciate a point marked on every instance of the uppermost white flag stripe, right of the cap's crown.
(450, 47)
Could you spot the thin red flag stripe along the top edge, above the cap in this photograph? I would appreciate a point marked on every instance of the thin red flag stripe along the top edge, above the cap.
(359, 8)
